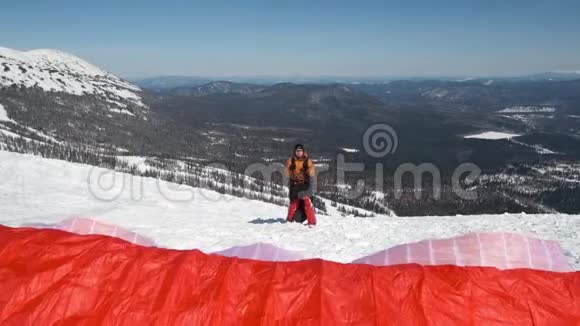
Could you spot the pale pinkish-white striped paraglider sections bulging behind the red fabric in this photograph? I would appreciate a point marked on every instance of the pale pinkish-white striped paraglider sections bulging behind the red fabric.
(497, 249)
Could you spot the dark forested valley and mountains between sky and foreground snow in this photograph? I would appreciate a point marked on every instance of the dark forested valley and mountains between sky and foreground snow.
(509, 129)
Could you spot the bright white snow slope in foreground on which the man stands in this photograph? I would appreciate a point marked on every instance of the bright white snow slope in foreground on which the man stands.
(38, 190)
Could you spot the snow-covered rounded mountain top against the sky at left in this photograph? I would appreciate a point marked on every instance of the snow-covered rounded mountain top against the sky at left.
(57, 71)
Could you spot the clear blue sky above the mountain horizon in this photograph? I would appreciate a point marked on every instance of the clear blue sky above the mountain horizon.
(303, 38)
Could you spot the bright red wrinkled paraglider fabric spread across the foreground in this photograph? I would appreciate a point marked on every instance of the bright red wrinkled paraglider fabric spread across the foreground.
(51, 277)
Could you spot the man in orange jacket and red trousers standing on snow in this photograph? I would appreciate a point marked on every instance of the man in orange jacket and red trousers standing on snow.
(300, 170)
